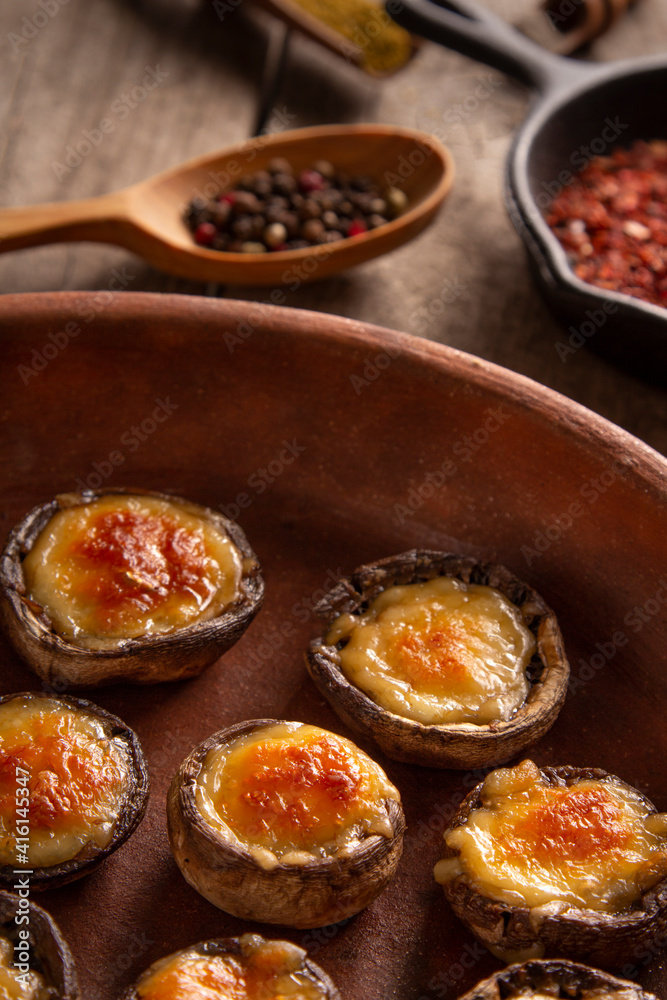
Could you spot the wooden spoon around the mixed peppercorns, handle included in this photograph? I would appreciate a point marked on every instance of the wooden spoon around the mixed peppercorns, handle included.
(147, 218)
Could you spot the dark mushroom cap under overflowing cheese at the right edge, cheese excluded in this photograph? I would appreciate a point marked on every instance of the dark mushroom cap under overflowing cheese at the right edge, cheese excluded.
(515, 932)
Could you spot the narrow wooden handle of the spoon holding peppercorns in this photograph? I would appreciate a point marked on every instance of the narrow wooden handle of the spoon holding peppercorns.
(102, 219)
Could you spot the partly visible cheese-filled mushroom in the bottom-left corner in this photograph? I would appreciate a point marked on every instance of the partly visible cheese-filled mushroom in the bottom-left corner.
(35, 961)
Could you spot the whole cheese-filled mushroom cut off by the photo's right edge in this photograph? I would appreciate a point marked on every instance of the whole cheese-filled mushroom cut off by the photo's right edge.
(560, 861)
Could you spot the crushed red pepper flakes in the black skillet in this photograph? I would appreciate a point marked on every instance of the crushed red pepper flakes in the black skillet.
(612, 221)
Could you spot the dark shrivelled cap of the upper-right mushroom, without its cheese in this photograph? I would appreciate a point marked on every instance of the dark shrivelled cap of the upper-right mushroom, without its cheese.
(450, 745)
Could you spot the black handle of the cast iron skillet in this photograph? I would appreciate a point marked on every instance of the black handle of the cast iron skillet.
(475, 31)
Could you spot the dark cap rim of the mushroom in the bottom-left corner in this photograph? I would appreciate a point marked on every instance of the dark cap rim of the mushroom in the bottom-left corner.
(48, 951)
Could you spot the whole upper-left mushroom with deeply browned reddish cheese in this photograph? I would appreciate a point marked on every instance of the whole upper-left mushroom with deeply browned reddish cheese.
(126, 585)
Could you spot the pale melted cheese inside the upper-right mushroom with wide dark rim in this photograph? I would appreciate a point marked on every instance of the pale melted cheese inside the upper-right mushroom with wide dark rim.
(438, 652)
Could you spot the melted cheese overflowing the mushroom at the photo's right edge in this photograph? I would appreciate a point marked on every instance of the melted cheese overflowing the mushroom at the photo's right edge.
(589, 845)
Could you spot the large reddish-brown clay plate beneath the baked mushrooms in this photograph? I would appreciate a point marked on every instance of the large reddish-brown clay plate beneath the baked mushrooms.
(335, 443)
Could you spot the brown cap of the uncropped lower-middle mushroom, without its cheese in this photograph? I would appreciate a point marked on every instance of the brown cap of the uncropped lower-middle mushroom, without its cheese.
(324, 891)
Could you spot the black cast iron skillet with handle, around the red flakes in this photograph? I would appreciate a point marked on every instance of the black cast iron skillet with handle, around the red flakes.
(581, 110)
